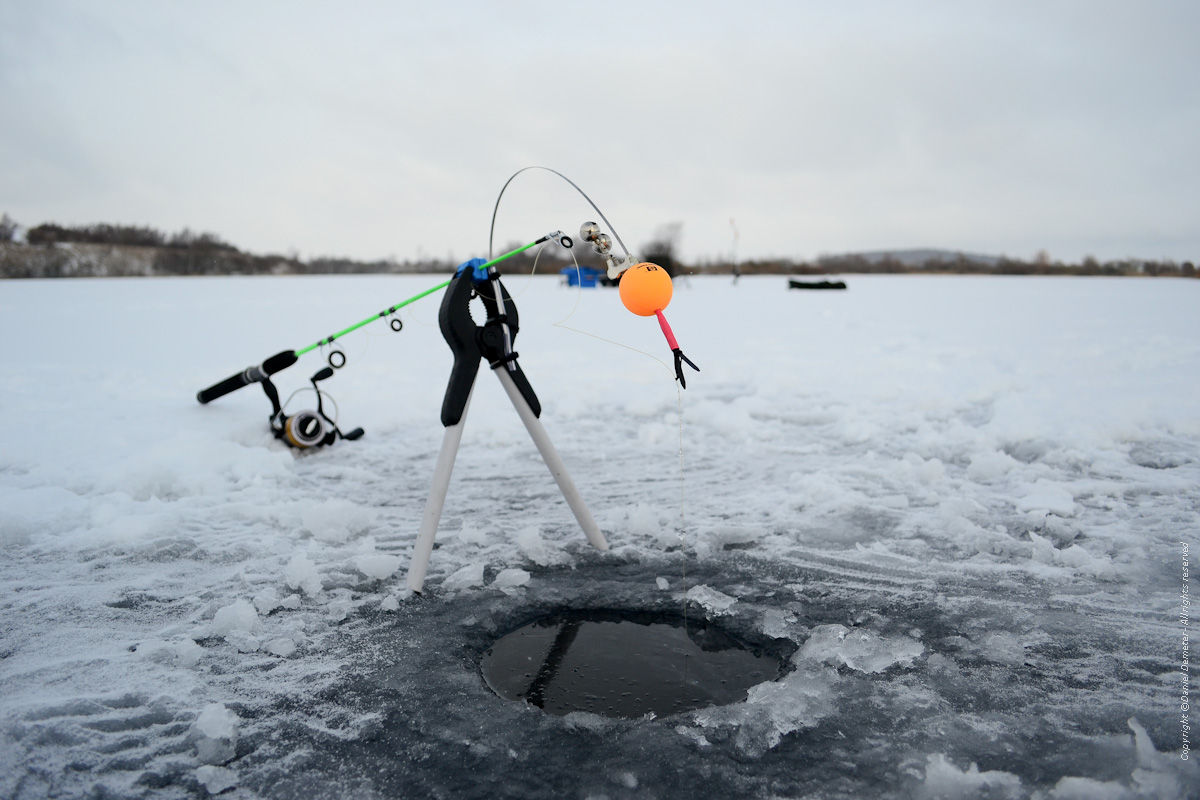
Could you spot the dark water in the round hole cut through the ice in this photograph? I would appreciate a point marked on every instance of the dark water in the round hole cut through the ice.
(623, 665)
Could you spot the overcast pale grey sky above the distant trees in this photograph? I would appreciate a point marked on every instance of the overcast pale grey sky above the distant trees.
(387, 129)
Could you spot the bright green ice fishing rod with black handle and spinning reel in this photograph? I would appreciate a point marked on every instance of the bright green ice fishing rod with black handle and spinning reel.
(313, 429)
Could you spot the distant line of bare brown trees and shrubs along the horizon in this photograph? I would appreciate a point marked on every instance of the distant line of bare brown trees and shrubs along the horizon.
(103, 250)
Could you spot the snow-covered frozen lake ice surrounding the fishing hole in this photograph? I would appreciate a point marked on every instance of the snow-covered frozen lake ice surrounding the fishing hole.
(955, 506)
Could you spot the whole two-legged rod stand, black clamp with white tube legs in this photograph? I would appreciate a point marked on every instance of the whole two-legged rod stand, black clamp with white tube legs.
(493, 342)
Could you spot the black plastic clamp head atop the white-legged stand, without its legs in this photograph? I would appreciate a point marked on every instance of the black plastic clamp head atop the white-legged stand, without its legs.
(471, 342)
